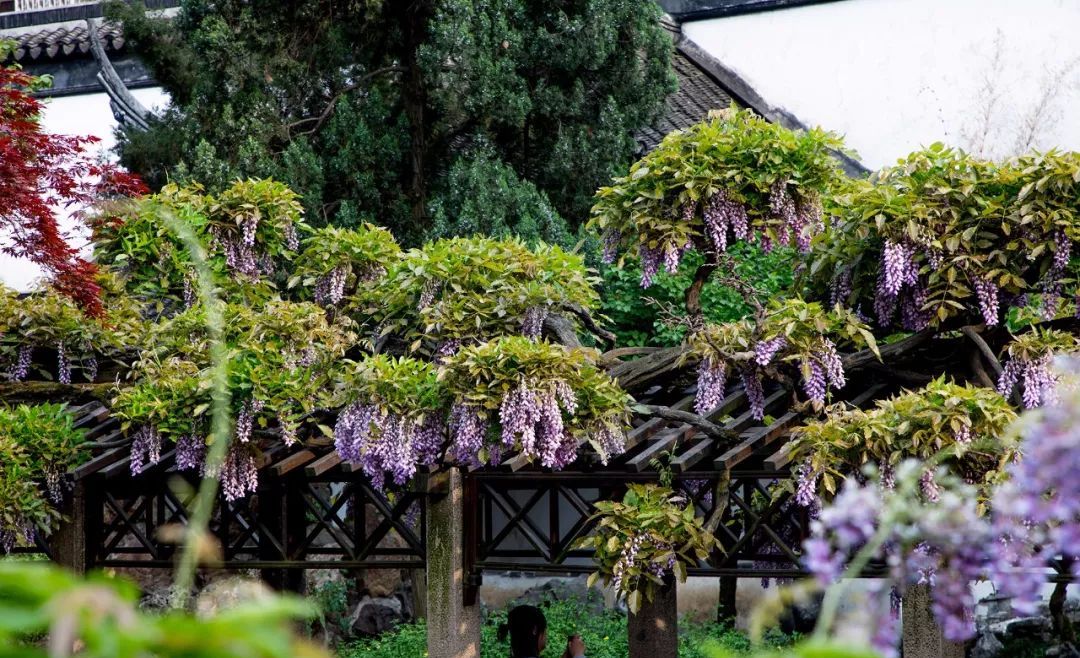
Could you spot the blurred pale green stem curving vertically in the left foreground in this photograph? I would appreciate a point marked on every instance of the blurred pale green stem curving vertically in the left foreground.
(221, 423)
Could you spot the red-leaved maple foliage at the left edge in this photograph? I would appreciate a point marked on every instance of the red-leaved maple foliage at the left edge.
(43, 174)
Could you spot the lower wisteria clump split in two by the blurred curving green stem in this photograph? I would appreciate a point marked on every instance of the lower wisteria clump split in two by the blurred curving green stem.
(280, 366)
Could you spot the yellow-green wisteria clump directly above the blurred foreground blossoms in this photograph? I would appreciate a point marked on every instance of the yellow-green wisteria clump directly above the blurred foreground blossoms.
(943, 418)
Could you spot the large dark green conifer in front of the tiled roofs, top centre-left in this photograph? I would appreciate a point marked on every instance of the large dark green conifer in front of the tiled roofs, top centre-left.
(376, 109)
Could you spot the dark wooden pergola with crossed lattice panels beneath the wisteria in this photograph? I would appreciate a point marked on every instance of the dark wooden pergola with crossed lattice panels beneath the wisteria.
(314, 512)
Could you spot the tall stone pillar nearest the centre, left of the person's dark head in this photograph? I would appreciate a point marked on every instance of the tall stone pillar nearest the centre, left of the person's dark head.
(453, 627)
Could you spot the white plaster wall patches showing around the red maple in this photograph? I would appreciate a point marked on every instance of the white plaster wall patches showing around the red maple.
(88, 115)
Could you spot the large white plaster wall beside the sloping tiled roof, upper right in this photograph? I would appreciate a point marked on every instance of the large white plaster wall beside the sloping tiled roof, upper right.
(897, 75)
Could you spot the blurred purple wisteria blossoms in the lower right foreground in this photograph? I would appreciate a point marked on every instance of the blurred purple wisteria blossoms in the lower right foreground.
(948, 543)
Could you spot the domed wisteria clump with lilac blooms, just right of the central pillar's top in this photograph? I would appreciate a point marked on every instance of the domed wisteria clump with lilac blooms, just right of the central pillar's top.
(517, 396)
